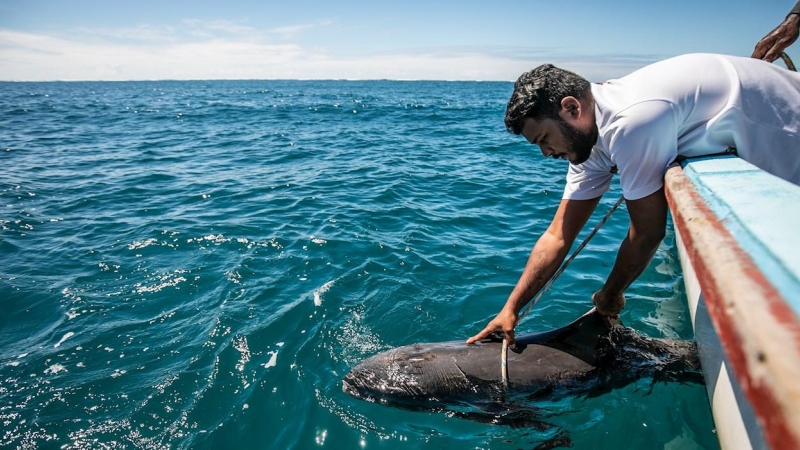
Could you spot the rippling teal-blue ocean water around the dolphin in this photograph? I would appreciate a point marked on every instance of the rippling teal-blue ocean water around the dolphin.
(197, 264)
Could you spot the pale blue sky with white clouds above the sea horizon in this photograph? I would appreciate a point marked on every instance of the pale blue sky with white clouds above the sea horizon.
(45, 40)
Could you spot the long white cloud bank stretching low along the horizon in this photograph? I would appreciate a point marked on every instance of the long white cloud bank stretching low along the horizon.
(225, 50)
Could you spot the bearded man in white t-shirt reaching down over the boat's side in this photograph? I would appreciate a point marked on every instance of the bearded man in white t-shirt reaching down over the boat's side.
(637, 126)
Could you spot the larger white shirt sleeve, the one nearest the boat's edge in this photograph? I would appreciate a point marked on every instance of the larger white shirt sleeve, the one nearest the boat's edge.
(643, 141)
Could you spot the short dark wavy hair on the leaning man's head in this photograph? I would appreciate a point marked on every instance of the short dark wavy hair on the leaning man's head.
(538, 94)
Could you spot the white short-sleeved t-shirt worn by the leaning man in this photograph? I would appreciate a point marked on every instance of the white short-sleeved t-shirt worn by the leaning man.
(690, 105)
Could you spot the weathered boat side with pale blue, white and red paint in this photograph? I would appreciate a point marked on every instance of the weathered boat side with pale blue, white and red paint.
(734, 225)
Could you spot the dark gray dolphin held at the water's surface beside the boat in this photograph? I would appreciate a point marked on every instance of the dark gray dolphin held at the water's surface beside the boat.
(584, 357)
